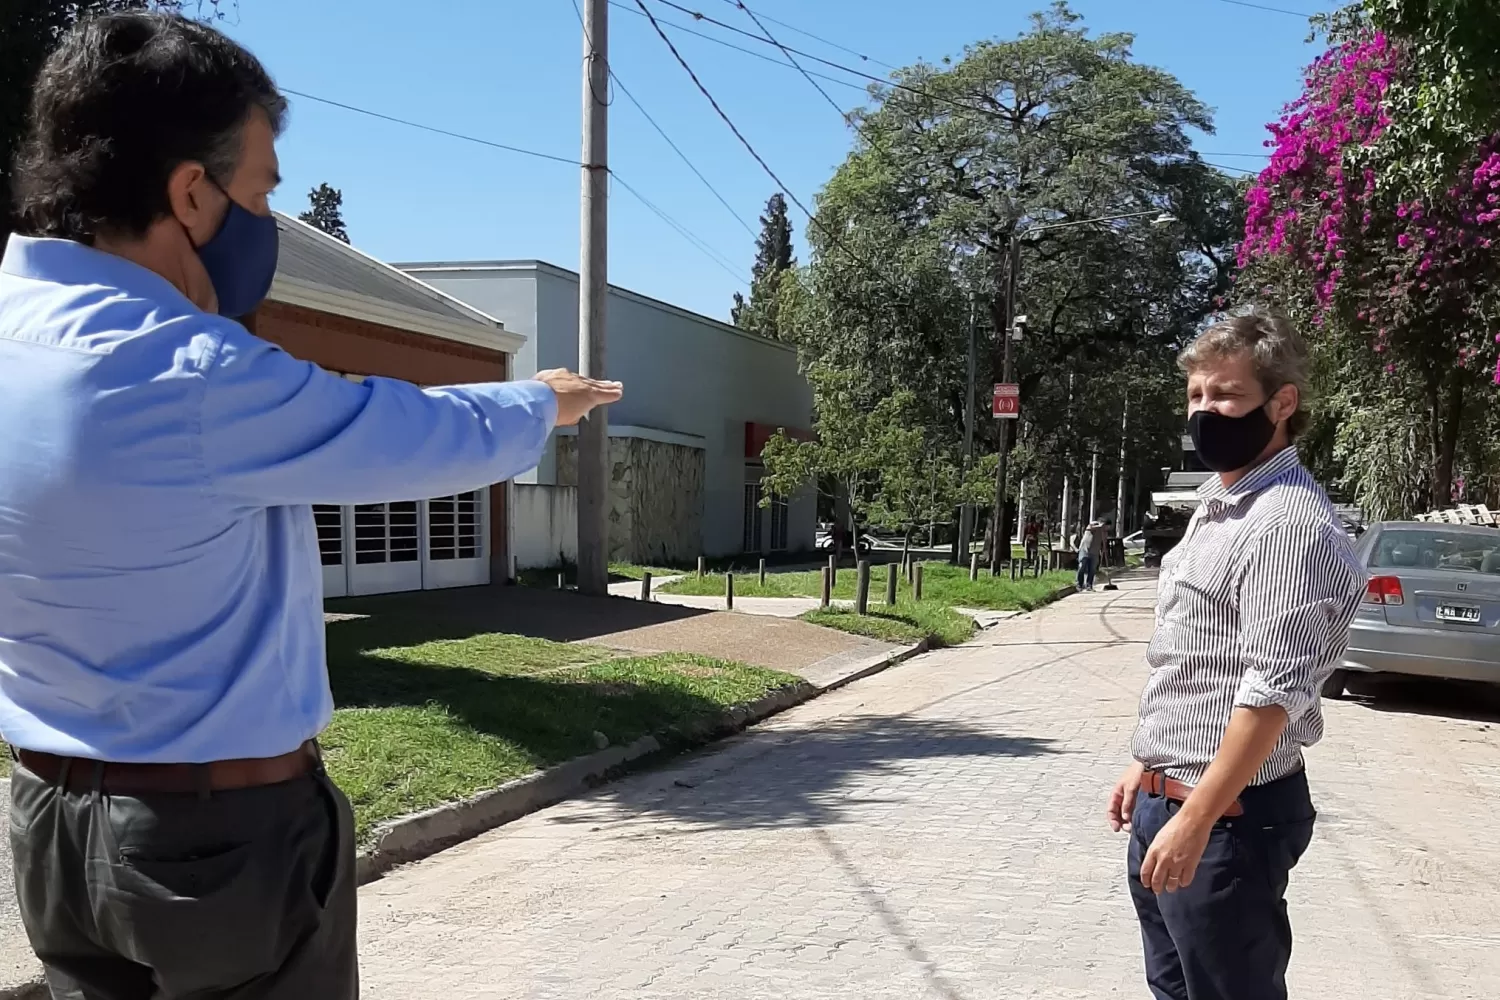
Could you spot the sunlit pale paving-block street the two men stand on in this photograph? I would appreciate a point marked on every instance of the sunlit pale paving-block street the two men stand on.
(938, 831)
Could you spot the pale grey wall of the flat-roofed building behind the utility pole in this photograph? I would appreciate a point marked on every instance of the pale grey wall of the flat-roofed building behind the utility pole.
(683, 373)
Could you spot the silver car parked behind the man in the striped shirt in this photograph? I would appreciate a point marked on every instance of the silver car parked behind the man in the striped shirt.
(1432, 606)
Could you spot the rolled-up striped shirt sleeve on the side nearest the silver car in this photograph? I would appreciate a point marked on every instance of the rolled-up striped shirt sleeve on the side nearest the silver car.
(1298, 594)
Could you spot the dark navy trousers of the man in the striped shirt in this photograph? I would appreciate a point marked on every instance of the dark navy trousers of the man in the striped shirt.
(1226, 936)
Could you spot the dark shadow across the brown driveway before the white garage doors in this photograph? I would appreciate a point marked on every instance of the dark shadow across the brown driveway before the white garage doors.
(406, 620)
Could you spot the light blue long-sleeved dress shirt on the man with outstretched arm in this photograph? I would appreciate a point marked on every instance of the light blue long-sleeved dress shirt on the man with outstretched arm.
(161, 594)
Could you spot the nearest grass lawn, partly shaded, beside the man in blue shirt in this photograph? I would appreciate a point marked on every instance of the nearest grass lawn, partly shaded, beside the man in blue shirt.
(437, 722)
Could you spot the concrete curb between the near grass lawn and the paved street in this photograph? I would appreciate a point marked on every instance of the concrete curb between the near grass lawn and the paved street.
(425, 834)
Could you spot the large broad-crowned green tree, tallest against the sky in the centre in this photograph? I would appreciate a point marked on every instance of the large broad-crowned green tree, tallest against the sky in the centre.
(952, 166)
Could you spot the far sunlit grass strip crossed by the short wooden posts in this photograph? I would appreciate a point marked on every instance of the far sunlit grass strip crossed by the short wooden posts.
(943, 584)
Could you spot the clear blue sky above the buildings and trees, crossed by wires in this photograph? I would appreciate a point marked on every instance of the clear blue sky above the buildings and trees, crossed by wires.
(508, 71)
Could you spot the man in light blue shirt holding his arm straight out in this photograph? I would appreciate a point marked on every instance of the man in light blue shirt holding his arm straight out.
(163, 671)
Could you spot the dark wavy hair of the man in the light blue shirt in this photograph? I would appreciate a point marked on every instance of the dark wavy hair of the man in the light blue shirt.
(124, 103)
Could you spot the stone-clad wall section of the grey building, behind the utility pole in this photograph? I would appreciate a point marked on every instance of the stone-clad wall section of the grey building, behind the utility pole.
(656, 499)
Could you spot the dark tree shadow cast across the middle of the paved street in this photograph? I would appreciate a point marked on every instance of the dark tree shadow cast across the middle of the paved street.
(808, 786)
